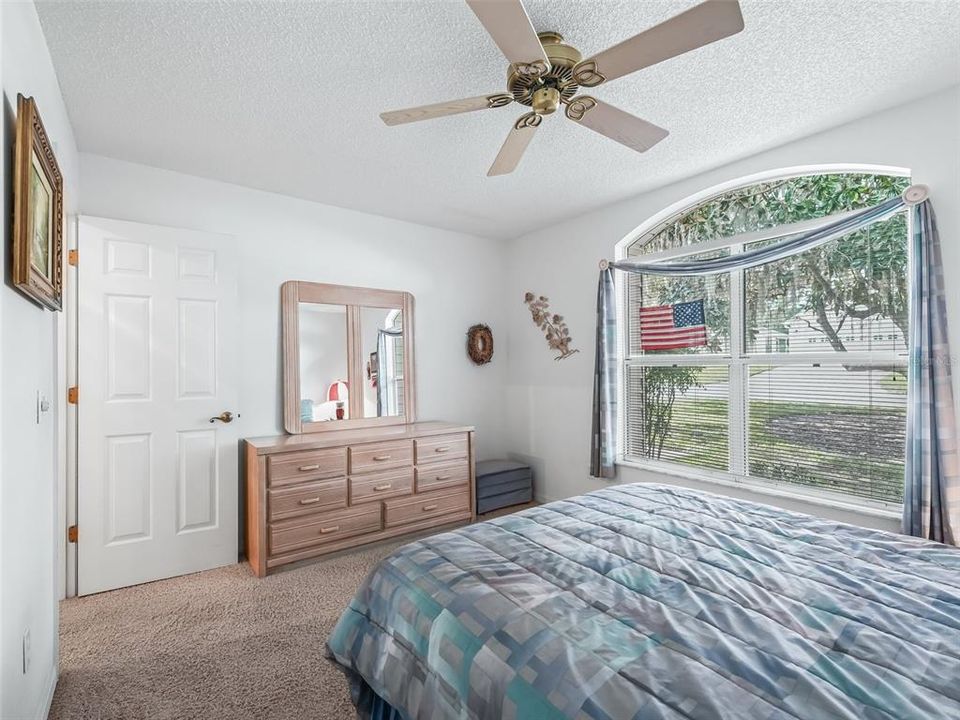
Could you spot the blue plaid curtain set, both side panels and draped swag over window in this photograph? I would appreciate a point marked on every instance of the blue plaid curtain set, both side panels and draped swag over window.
(931, 506)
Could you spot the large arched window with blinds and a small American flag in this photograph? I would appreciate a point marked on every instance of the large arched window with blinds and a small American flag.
(795, 372)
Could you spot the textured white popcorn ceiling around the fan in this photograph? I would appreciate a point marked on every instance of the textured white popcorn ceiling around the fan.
(285, 97)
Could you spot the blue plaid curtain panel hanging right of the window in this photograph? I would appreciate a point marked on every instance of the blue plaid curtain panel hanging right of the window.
(931, 502)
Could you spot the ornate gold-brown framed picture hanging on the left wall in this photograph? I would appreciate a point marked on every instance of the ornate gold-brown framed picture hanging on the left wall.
(37, 211)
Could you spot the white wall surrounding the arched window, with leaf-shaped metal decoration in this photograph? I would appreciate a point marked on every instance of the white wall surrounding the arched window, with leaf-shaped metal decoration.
(550, 402)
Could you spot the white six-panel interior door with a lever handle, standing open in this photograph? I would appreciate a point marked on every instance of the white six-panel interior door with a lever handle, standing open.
(157, 341)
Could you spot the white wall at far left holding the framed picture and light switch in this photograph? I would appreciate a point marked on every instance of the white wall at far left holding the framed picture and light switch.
(31, 538)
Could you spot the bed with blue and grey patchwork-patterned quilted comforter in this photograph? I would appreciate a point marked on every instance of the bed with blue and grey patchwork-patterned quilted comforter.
(651, 601)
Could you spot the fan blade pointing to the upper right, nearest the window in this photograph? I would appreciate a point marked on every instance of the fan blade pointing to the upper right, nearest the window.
(698, 26)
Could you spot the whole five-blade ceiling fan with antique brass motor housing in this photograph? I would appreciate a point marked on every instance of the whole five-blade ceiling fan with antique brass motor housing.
(545, 73)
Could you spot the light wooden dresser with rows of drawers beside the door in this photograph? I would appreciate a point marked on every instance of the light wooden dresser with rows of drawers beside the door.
(308, 495)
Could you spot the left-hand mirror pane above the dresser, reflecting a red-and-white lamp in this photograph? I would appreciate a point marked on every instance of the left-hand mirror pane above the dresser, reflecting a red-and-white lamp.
(323, 362)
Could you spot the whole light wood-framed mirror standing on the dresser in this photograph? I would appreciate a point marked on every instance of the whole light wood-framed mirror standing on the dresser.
(348, 358)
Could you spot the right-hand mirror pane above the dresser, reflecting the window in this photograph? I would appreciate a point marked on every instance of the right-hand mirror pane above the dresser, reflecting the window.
(382, 349)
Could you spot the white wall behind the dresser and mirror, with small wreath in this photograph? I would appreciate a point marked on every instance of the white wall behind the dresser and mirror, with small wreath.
(455, 279)
